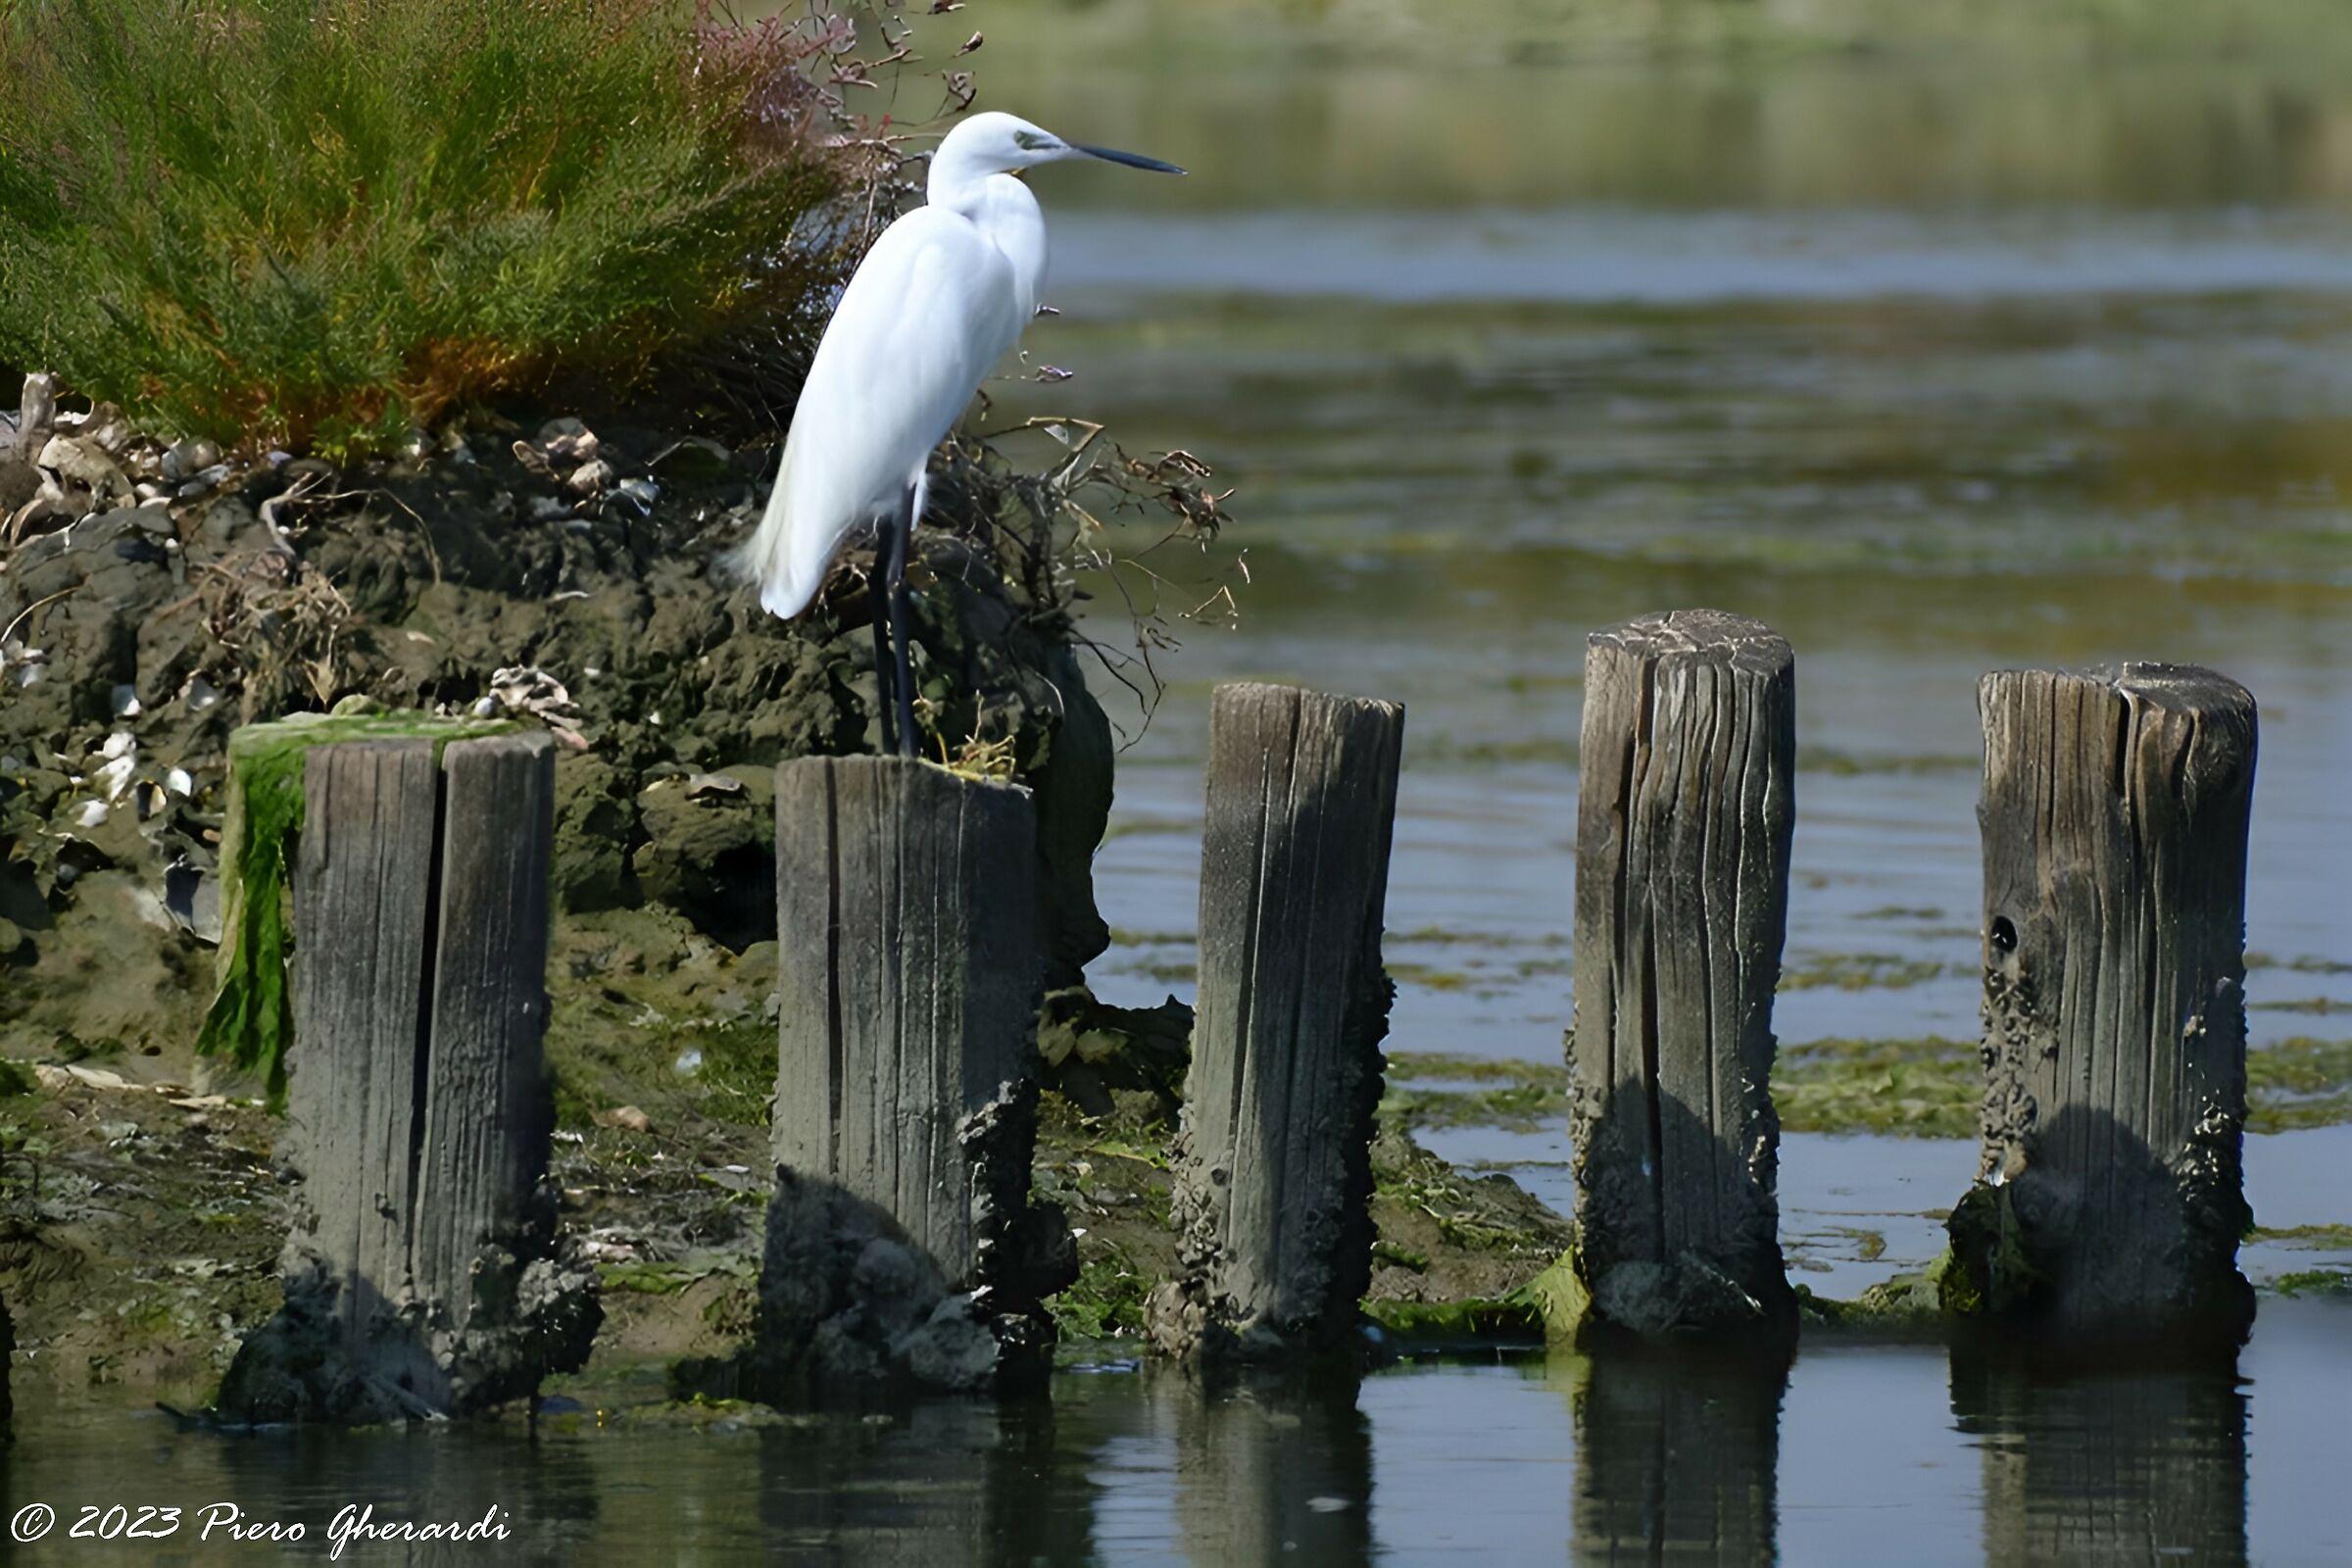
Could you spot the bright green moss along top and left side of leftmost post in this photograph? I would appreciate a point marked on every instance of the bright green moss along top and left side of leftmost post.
(253, 1010)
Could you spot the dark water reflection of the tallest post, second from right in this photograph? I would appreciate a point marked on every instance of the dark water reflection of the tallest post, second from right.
(1678, 1454)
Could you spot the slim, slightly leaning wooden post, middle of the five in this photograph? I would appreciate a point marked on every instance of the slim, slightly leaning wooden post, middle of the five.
(1274, 1174)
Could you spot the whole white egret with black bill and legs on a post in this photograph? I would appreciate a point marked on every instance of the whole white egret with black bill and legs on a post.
(937, 302)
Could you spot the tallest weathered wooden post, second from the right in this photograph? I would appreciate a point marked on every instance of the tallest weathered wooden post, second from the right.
(1683, 838)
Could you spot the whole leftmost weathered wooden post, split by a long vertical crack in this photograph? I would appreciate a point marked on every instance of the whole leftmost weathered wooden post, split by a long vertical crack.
(425, 1278)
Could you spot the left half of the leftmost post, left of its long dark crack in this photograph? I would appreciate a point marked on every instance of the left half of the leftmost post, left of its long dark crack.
(363, 897)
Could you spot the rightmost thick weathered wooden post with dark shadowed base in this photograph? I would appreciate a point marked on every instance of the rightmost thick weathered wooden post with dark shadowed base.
(2116, 1021)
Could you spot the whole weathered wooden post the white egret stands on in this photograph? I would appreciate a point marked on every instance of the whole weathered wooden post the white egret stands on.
(902, 1240)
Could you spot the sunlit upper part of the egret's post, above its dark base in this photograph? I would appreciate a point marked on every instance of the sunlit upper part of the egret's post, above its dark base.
(907, 989)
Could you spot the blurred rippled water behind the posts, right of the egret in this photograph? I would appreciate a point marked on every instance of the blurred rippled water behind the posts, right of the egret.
(1937, 363)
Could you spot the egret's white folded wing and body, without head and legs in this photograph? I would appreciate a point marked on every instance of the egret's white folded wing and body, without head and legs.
(926, 316)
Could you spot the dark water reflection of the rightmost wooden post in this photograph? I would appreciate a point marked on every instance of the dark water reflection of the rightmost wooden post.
(2104, 1466)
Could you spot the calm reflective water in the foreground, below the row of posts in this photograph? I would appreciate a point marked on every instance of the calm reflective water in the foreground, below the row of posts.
(1859, 1454)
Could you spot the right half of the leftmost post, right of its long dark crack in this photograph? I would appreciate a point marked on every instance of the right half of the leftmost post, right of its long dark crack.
(488, 1099)
